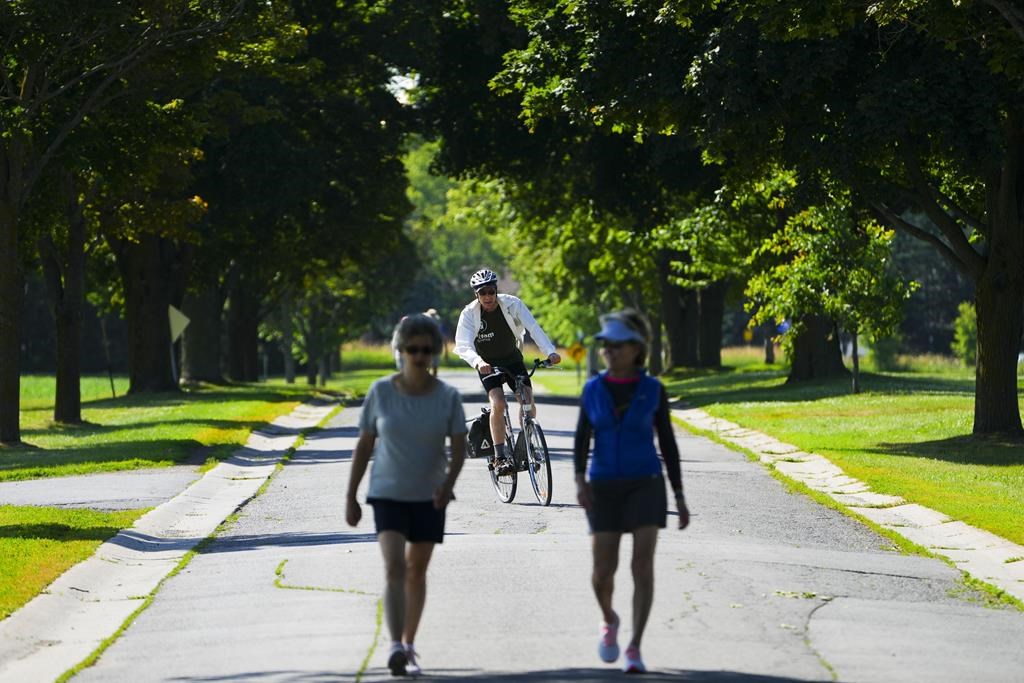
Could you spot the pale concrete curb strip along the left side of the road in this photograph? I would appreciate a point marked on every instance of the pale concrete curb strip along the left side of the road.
(90, 603)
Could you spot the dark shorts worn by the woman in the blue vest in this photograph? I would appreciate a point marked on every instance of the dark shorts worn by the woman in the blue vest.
(624, 505)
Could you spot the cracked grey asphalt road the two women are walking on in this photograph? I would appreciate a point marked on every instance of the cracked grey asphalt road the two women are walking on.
(765, 586)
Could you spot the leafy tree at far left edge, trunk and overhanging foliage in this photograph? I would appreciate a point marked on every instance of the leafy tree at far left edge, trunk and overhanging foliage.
(63, 62)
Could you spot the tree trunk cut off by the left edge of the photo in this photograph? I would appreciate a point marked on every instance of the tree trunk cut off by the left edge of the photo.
(12, 288)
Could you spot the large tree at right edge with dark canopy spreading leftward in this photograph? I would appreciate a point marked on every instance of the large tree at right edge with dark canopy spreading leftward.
(917, 108)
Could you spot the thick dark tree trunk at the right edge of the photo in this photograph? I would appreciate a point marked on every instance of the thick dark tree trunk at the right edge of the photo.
(1000, 298)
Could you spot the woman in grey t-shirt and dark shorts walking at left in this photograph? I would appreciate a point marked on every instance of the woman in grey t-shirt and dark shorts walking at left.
(405, 422)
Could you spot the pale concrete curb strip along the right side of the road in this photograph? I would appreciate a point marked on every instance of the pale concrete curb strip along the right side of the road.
(982, 554)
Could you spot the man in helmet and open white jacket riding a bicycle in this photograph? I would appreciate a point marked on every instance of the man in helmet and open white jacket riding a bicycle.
(491, 333)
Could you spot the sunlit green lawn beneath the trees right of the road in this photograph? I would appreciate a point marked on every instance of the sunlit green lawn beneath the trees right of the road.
(907, 435)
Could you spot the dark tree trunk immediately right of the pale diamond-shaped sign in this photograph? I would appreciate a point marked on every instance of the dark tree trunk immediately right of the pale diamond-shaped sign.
(201, 341)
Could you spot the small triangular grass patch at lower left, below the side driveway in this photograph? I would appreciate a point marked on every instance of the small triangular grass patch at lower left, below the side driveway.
(37, 545)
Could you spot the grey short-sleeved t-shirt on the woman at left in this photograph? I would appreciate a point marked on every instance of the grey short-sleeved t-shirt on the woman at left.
(409, 458)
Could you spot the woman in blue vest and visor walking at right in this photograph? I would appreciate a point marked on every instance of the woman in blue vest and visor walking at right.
(624, 490)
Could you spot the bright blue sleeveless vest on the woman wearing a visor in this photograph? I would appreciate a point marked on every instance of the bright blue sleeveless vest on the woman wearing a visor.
(624, 448)
